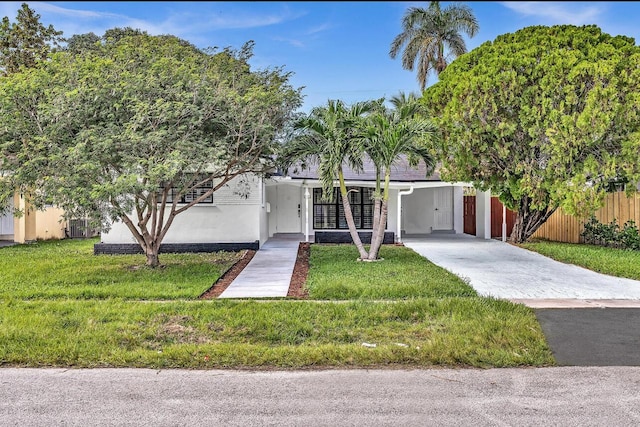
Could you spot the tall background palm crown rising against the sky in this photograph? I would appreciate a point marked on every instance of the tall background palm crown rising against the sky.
(426, 33)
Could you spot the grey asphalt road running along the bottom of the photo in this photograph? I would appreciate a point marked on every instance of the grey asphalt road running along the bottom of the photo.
(569, 396)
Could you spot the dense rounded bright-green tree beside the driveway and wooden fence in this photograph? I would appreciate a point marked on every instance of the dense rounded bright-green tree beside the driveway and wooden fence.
(543, 117)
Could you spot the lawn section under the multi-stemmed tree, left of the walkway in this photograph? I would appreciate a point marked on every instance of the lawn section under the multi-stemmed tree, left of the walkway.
(68, 269)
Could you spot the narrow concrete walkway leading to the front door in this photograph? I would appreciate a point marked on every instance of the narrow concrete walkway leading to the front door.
(268, 274)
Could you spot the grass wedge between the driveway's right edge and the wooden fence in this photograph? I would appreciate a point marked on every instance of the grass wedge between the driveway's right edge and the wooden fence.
(611, 261)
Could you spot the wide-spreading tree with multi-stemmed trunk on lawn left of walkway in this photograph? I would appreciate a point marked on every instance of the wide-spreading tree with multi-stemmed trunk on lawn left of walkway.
(124, 131)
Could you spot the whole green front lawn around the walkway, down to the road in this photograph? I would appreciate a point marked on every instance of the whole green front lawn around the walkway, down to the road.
(62, 306)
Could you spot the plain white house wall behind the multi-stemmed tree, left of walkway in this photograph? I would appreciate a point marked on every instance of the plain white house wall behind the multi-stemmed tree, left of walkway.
(233, 217)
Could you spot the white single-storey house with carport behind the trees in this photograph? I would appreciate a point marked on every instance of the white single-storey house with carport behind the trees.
(250, 209)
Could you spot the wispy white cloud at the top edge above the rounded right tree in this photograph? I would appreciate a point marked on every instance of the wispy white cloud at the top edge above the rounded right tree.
(558, 12)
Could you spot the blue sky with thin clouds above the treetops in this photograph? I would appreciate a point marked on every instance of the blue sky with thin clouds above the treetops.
(336, 50)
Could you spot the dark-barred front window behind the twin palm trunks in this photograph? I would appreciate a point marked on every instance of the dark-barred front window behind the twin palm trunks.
(330, 215)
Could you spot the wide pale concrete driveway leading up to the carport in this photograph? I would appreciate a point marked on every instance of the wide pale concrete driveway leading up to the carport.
(501, 270)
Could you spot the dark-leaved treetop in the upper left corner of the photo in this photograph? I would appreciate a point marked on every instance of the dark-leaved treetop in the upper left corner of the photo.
(25, 42)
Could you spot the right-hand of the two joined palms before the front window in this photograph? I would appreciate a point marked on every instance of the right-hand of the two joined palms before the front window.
(389, 135)
